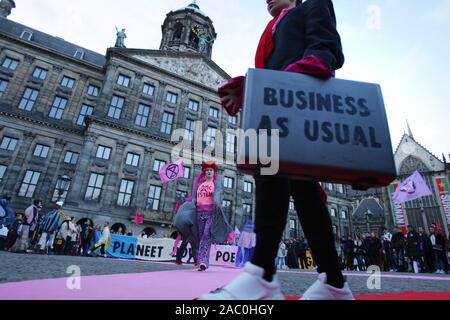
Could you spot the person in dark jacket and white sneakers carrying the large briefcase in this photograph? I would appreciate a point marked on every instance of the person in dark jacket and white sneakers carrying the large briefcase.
(302, 37)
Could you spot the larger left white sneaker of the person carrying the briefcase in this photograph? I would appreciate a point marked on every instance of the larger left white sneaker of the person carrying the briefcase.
(249, 285)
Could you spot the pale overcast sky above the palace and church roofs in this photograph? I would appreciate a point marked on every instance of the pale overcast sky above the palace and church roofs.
(401, 44)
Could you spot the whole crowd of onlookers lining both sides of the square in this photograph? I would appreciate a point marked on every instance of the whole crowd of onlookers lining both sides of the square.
(55, 233)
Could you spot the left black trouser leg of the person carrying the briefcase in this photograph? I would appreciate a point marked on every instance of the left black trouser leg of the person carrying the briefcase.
(272, 202)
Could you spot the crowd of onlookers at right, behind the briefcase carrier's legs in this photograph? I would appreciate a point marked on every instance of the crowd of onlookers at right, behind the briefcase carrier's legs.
(402, 251)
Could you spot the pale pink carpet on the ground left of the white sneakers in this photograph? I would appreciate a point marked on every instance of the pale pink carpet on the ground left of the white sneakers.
(164, 285)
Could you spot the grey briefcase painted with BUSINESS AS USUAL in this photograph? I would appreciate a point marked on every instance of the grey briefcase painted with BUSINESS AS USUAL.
(328, 130)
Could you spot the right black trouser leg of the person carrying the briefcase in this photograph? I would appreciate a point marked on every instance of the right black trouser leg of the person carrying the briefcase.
(316, 223)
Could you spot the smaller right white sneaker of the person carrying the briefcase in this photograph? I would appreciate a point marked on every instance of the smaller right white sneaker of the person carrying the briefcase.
(320, 290)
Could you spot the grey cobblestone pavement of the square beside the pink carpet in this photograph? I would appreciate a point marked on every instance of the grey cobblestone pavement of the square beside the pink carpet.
(23, 267)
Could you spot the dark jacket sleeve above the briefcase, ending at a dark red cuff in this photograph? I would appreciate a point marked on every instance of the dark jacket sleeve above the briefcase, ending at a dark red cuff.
(322, 37)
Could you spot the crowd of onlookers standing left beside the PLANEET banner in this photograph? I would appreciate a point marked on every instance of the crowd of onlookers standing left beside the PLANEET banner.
(53, 232)
